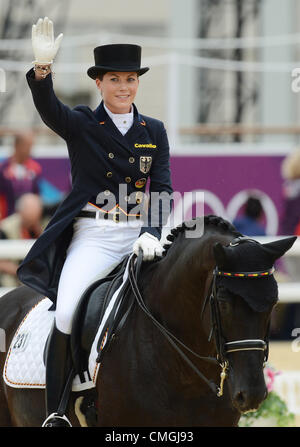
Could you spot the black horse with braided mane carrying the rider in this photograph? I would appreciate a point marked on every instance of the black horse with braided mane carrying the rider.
(193, 348)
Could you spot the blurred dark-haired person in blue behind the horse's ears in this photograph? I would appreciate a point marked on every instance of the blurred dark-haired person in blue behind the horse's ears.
(249, 223)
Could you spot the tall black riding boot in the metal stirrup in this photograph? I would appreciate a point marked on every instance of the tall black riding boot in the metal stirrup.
(58, 368)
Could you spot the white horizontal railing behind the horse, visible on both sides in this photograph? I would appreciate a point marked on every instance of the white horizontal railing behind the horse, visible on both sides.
(289, 292)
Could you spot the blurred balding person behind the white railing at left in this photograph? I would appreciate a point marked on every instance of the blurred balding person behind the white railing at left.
(25, 223)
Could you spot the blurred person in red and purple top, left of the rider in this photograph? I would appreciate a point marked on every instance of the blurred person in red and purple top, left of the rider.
(19, 174)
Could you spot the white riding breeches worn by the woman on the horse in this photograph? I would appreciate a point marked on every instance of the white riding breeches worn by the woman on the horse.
(96, 248)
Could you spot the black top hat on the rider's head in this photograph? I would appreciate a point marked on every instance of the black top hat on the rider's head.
(117, 57)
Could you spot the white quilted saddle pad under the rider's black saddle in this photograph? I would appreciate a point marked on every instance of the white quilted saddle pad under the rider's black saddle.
(24, 366)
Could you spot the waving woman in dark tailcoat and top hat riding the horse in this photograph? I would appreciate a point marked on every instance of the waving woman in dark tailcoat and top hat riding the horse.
(113, 150)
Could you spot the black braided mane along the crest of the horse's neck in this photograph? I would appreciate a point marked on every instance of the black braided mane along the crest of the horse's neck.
(210, 220)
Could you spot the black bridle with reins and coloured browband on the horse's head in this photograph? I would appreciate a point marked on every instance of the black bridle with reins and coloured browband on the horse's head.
(223, 347)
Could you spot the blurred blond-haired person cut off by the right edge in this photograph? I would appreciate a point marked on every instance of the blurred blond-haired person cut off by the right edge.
(290, 170)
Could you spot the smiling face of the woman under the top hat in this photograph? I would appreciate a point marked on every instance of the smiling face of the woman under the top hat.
(118, 90)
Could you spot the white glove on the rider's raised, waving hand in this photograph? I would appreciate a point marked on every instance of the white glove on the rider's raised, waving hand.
(43, 43)
